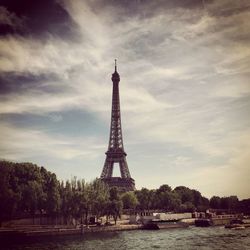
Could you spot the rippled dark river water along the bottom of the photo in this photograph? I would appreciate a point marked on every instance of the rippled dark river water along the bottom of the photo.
(190, 238)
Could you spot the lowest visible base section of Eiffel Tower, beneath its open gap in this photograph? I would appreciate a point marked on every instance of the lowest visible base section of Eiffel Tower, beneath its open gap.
(124, 184)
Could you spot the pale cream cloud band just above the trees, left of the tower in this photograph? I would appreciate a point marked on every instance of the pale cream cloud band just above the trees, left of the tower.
(22, 144)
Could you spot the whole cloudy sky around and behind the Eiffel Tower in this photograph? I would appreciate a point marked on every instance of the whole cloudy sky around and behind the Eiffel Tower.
(184, 89)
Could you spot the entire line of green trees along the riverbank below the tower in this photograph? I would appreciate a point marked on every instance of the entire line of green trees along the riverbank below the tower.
(28, 190)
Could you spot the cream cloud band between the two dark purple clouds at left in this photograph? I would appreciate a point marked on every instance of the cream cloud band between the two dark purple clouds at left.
(27, 55)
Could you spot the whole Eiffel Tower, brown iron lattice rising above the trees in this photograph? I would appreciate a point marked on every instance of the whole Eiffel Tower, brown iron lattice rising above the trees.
(116, 153)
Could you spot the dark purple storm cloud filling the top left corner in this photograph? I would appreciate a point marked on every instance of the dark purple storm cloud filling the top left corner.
(37, 18)
